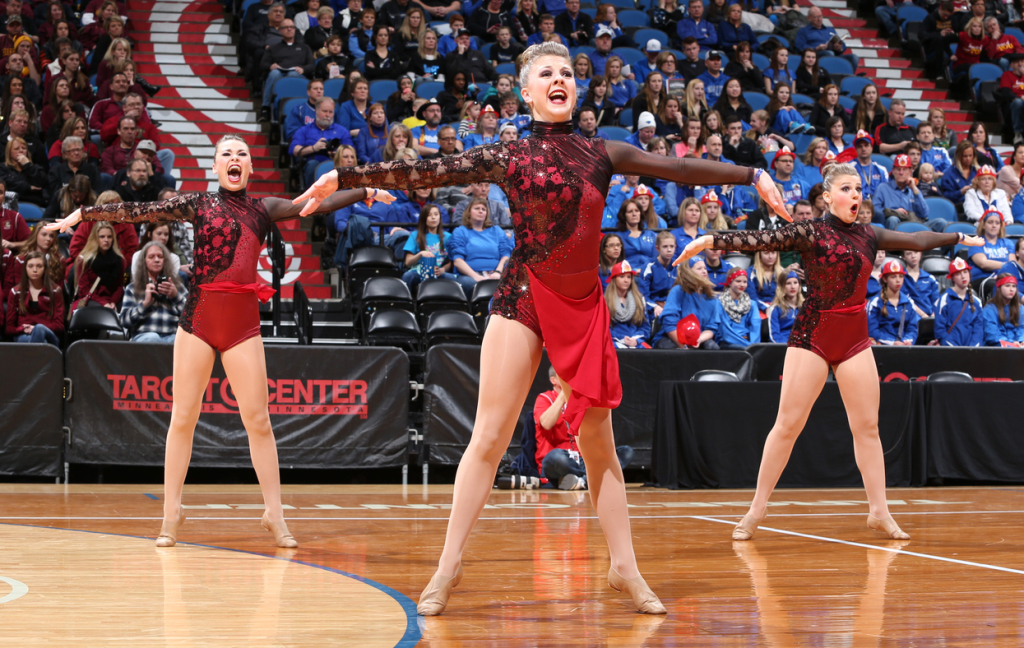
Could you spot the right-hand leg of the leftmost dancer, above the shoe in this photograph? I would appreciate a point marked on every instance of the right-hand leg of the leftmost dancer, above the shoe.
(245, 366)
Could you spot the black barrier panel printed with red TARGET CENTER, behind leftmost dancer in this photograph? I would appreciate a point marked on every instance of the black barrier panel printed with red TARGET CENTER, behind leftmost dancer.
(330, 408)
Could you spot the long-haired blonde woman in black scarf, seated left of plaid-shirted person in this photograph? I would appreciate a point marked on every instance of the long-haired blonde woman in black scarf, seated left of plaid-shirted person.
(100, 270)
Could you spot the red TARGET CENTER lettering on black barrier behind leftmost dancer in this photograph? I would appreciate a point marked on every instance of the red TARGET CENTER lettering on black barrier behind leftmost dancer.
(290, 398)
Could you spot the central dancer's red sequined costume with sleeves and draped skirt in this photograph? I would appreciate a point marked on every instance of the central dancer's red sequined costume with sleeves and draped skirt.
(557, 183)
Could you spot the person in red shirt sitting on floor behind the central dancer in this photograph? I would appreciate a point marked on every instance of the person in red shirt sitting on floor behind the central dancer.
(558, 456)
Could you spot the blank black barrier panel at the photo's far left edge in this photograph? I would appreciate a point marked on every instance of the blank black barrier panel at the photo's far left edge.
(31, 410)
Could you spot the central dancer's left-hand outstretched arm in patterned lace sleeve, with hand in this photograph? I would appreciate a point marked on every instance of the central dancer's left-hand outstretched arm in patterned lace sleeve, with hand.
(483, 163)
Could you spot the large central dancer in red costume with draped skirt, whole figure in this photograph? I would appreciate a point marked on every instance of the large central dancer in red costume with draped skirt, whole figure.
(550, 295)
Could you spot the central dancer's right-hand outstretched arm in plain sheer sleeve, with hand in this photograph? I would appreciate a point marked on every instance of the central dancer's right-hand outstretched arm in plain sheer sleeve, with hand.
(629, 160)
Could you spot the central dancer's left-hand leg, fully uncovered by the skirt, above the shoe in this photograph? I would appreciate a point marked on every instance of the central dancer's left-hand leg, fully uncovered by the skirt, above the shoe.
(509, 359)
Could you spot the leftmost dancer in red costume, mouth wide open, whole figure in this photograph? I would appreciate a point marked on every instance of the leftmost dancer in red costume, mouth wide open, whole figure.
(222, 315)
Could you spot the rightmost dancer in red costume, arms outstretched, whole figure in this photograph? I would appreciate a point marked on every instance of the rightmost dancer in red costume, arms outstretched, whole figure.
(831, 331)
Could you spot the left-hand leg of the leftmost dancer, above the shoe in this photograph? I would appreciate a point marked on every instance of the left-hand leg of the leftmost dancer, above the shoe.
(193, 366)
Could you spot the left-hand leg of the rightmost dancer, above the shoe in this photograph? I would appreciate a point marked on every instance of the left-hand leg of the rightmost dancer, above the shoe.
(803, 376)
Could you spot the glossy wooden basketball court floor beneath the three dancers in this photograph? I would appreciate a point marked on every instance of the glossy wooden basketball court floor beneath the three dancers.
(78, 568)
